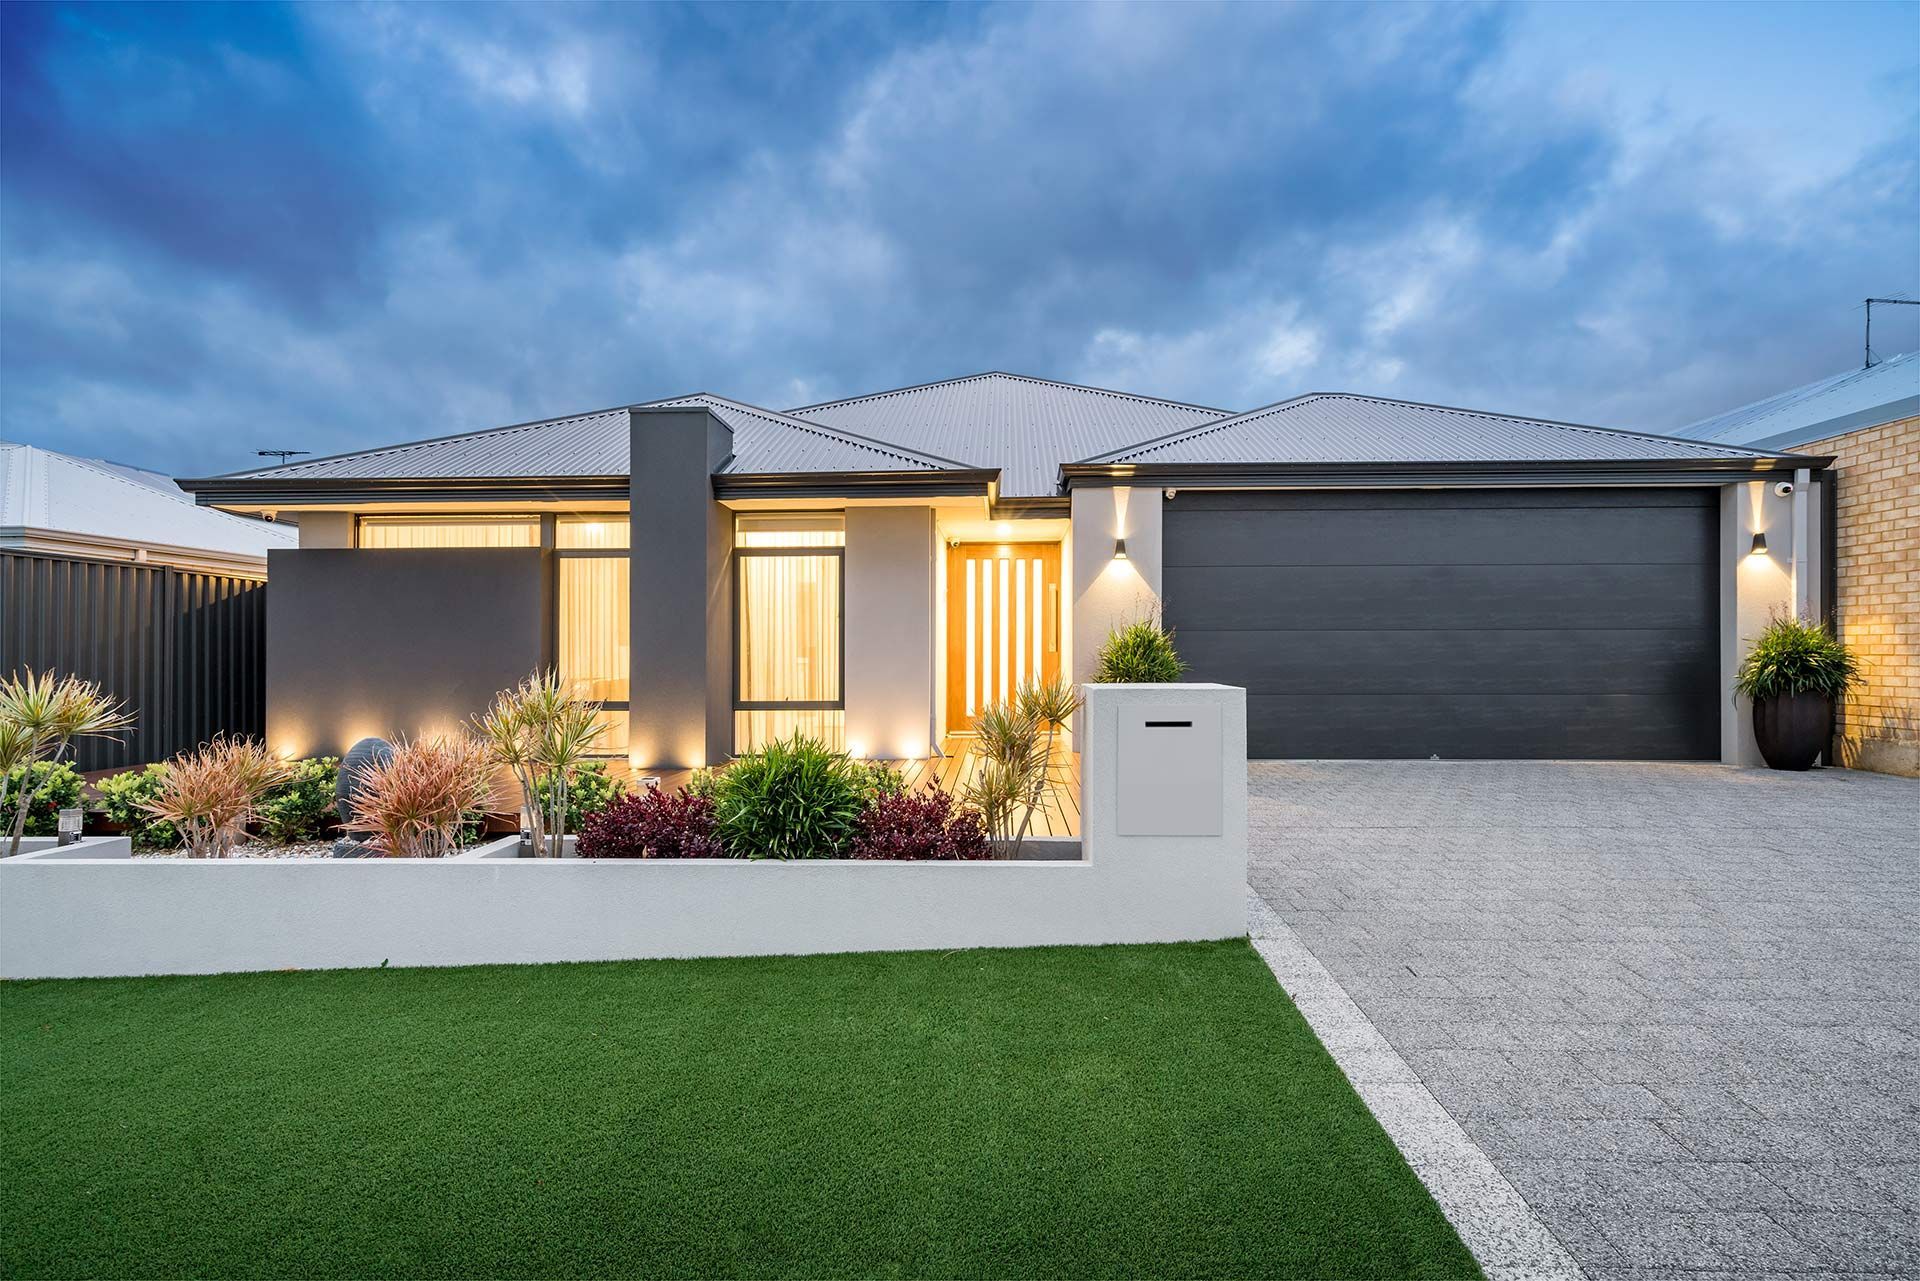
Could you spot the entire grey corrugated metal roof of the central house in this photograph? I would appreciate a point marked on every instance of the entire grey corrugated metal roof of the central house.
(1030, 431)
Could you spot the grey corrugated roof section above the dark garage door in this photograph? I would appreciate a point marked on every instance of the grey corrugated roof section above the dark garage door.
(1364, 429)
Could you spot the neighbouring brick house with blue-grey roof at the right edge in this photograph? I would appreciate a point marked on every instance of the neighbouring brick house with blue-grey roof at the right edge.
(1869, 422)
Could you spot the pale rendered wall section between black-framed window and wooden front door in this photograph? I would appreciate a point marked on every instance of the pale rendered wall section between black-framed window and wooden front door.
(890, 633)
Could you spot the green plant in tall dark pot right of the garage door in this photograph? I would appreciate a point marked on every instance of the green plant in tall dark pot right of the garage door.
(1794, 675)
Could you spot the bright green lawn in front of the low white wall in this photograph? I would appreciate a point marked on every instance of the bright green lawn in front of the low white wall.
(1107, 1111)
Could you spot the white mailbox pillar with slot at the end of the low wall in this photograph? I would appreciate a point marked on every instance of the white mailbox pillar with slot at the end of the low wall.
(1164, 798)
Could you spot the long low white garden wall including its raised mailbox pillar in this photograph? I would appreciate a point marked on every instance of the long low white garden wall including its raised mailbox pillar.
(107, 917)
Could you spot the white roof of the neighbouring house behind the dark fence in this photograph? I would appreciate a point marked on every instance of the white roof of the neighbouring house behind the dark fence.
(91, 508)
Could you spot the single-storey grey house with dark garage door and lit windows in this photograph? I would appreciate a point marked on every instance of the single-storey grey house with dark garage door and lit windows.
(1385, 579)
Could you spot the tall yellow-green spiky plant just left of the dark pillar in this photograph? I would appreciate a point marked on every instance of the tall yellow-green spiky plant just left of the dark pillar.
(544, 733)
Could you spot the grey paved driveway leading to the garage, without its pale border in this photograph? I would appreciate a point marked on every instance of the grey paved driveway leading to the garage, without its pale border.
(1677, 1005)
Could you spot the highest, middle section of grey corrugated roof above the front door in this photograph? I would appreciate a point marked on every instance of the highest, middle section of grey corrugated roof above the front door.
(1026, 427)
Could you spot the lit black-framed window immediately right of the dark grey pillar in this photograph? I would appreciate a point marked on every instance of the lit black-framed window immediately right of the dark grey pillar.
(790, 660)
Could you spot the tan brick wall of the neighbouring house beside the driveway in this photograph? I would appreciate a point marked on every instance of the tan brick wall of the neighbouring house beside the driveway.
(1877, 571)
